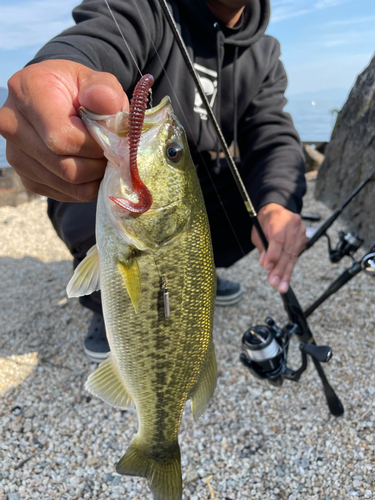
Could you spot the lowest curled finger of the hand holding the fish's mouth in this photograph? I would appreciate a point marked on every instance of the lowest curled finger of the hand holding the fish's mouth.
(41, 181)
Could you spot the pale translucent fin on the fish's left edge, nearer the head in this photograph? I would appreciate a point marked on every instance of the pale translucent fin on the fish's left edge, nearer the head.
(85, 279)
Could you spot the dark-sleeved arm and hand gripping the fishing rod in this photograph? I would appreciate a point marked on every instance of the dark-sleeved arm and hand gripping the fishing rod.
(274, 172)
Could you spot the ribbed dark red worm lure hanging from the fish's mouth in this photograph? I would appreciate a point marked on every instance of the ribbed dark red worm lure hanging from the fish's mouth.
(137, 110)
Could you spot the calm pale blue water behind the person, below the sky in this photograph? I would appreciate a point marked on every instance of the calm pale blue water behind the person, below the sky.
(311, 113)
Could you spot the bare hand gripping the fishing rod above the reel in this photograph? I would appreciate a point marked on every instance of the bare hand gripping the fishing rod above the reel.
(286, 237)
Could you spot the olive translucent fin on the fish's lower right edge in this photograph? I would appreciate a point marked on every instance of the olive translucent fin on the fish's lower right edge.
(205, 387)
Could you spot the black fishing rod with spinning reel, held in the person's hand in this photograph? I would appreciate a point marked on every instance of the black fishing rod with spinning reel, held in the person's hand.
(297, 321)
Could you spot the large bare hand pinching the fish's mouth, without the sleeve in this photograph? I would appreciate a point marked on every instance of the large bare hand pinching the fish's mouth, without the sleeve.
(47, 143)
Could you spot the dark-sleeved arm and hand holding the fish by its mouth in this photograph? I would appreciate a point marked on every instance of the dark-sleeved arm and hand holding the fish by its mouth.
(47, 143)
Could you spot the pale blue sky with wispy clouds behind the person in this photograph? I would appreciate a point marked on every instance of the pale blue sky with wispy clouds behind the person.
(325, 43)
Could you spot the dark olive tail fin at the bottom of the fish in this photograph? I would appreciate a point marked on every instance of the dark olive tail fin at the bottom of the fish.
(162, 473)
